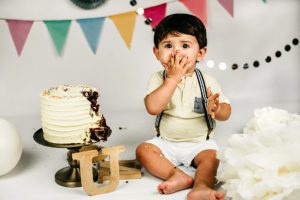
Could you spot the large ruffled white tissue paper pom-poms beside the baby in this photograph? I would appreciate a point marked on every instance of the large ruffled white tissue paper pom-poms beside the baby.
(264, 162)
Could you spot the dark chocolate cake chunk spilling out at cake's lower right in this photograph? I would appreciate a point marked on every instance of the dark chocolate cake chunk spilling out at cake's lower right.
(102, 132)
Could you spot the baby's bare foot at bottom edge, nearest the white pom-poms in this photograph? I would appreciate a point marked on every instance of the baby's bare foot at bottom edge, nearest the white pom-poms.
(204, 193)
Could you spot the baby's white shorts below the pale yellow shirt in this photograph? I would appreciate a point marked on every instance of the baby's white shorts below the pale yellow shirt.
(182, 152)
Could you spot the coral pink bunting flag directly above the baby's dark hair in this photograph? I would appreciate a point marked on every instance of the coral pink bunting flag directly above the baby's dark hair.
(198, 8)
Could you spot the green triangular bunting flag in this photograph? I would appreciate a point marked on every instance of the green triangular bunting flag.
(58, 30)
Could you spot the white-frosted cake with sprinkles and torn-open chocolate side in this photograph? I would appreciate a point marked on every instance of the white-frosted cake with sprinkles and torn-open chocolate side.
(70, 114)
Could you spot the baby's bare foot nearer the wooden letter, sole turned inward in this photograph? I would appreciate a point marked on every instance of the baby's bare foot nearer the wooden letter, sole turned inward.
(178, 181)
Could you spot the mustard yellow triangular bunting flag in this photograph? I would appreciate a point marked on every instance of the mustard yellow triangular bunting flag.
(125, 24)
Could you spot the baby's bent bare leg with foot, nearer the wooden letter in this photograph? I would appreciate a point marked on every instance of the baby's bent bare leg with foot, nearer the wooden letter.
(150, 156)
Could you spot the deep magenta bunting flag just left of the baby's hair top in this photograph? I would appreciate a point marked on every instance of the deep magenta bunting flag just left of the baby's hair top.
(156, 13)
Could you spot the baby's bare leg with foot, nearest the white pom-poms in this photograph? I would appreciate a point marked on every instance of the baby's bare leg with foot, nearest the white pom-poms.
(205, 177)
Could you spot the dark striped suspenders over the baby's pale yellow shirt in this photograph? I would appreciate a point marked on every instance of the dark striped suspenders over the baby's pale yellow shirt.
(202, 86)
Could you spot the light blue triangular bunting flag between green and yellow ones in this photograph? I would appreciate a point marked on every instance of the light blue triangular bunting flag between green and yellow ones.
(91, 28)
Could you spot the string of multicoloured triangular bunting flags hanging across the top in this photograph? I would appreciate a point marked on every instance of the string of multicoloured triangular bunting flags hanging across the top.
(92, 27)
